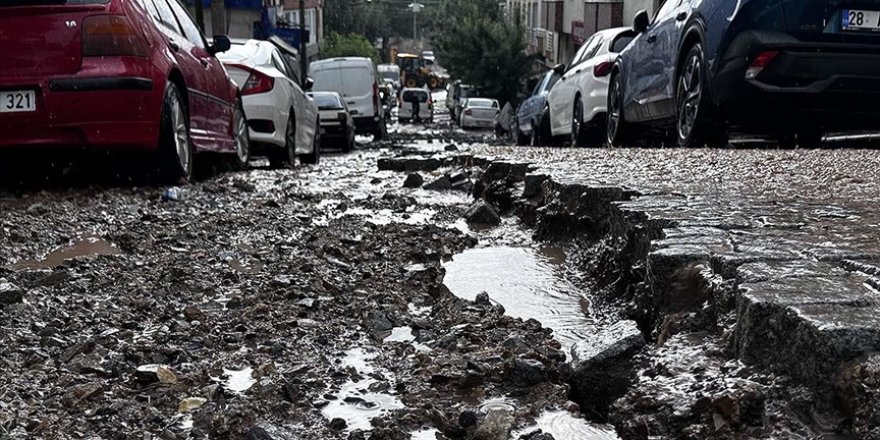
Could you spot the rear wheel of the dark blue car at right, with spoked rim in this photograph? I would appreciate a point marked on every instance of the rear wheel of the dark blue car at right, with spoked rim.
(696, 123)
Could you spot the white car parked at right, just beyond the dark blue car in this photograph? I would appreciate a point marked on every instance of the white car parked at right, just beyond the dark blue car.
(577, 104)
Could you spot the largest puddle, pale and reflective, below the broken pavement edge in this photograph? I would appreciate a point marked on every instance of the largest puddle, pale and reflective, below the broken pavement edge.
(525, 281)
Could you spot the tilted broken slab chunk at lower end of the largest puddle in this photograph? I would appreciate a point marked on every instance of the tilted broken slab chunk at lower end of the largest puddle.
(602, 369)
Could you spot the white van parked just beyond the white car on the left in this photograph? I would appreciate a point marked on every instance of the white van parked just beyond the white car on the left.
(356, 80)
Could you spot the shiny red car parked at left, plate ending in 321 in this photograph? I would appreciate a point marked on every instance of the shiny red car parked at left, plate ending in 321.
(134, 75)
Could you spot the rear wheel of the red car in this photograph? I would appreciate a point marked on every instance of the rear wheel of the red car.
(174, 155)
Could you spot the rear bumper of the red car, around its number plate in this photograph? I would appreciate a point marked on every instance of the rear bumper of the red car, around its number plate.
(111, 109)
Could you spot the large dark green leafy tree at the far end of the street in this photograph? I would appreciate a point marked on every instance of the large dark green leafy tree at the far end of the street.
(480, 44)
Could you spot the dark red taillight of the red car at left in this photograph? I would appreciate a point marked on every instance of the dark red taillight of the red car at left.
(111, 35)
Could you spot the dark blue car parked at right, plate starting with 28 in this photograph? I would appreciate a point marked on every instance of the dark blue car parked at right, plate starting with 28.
(792, 69)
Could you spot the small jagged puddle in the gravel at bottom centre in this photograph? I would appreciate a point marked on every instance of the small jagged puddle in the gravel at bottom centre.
(356, 404)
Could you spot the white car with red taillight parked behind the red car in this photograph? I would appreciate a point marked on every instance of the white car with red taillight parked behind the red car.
(284, 123)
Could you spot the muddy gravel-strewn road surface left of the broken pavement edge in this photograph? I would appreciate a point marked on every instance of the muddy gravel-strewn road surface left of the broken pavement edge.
(293, 304)
